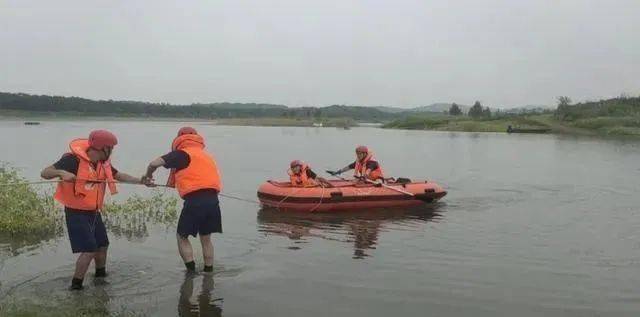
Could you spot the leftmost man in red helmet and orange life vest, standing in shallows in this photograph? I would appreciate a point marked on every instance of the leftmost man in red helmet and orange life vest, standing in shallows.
(86, 172)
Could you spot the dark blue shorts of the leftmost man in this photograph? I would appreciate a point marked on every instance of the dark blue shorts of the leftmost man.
(86, 230)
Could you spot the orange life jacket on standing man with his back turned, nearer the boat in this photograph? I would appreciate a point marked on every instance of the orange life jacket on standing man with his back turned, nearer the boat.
(202, 172)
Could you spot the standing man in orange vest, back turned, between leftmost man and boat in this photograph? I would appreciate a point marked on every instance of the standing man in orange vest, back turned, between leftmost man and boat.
(194, 173)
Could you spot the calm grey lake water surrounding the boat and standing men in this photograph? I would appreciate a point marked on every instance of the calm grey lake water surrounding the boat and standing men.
(533, 225)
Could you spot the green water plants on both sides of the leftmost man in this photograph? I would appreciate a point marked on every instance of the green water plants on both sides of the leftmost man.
(29, 217)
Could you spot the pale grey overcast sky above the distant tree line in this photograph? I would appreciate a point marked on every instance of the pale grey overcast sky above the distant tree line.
(399, 53)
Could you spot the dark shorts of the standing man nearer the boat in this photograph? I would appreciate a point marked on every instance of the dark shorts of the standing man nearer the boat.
(200, 214)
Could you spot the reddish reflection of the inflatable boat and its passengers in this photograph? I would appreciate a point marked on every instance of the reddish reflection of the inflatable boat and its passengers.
(361, 229)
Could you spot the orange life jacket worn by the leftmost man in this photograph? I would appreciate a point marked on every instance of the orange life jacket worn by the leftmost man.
(83, 194)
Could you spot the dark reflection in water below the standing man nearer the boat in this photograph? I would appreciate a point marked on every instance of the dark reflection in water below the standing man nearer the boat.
(203, 304)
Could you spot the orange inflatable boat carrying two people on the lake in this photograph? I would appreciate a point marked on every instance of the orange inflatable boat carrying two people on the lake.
(347, 195)
